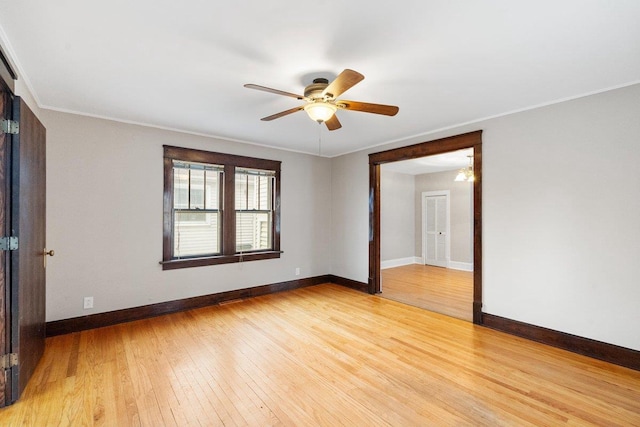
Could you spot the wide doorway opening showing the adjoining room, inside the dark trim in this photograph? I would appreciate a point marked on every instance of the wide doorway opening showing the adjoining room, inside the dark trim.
(426, 250)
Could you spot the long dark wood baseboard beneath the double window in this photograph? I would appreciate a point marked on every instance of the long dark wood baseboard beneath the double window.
(76, 324)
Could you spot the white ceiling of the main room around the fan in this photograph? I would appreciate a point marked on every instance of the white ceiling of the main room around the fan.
(182, 65)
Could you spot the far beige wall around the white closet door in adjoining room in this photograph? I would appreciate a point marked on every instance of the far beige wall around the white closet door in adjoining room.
(460, 199)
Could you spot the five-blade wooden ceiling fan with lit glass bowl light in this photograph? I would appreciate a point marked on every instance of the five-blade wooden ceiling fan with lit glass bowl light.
(322, 103)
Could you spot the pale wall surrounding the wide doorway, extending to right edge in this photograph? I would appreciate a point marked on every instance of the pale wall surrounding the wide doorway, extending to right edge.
(561, 209)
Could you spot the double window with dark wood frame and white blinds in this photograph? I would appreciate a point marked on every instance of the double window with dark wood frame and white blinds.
(219, 208)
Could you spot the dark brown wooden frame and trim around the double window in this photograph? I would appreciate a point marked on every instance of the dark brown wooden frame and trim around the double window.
(228, 229)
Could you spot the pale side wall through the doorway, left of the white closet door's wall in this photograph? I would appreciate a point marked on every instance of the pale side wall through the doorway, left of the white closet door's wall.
(397, 216)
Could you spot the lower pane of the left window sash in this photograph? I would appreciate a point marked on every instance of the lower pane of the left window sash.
(196, 233)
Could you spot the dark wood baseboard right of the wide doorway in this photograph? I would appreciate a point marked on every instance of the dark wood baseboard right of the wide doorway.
(596, 349)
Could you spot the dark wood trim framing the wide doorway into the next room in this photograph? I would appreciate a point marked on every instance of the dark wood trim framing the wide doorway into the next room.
(429, 148)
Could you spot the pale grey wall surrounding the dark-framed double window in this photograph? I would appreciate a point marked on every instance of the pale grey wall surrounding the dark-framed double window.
(104, 218)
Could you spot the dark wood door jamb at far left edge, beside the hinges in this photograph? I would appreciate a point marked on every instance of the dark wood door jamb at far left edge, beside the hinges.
(5, 145)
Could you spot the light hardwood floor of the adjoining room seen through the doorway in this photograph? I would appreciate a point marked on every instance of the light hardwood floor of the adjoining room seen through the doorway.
(437, 289)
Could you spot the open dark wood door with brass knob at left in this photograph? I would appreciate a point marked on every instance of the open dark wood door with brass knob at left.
(28, 191)
